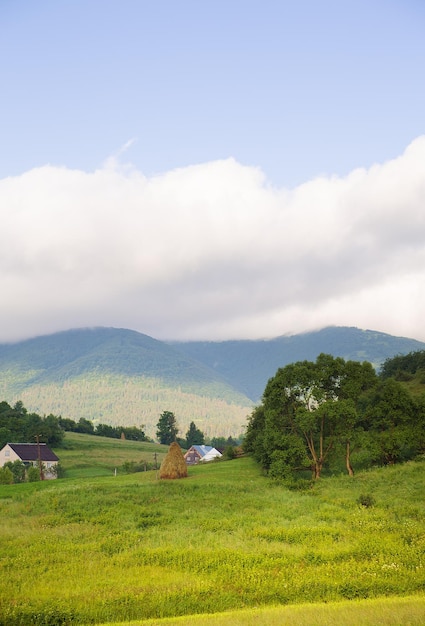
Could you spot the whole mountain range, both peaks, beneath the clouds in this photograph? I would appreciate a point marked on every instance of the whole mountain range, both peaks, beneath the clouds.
(119, 376)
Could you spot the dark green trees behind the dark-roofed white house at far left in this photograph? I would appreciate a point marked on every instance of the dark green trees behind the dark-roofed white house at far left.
(17, 425)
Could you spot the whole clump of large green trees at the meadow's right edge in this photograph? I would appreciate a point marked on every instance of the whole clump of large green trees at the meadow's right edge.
(324, 415)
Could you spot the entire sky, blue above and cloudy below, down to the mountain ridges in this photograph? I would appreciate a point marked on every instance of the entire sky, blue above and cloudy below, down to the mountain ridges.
(215, 169)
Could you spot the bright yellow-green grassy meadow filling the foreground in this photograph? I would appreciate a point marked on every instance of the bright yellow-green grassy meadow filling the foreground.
(224, 546)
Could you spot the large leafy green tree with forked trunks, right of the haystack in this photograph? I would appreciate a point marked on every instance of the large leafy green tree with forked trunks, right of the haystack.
(308, 409)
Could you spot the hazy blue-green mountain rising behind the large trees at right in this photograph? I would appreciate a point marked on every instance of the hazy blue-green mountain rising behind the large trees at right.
(248, 365)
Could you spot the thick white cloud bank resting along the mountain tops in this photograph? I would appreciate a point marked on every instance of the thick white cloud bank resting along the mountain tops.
(213, 251)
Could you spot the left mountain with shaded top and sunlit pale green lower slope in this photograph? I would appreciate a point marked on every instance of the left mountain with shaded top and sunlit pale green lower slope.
(119, 376)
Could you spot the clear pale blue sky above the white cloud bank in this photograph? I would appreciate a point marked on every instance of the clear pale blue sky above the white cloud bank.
(296, 88)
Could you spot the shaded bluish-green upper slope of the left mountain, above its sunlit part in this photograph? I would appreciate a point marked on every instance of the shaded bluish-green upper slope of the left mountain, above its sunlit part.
(57, 357)
